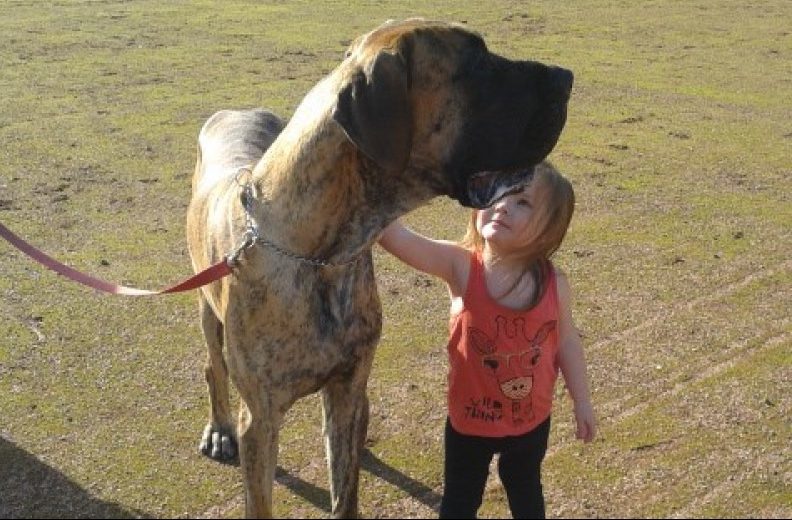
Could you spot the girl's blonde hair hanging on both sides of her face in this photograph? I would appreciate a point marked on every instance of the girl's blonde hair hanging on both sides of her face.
(554, 203)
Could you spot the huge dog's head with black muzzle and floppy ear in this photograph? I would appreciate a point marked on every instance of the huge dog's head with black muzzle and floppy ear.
(430, 98)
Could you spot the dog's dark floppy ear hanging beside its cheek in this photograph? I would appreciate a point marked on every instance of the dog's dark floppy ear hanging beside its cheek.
(374, 111)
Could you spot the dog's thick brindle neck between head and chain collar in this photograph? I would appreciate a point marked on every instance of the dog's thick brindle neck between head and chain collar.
(317, 195)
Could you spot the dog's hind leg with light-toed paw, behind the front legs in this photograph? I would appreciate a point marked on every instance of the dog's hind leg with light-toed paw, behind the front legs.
(217, 441)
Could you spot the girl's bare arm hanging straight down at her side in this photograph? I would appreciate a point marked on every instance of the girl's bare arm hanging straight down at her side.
(573, 364)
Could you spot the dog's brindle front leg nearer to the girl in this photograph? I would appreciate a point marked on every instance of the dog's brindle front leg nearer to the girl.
(346, 411)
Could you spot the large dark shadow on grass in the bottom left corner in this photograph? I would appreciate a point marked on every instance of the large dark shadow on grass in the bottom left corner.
(30, 488)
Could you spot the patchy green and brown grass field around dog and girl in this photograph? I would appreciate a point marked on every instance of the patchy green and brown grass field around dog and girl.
(679, 146)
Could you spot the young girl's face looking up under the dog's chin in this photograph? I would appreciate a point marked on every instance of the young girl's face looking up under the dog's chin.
(507, 225)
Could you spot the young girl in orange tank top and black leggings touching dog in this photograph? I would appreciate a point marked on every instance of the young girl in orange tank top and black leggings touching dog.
(511, 330)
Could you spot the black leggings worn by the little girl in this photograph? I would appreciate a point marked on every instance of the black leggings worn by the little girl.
(467, 460)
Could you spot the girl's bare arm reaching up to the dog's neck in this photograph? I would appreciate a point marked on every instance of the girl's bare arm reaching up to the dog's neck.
(439, 258)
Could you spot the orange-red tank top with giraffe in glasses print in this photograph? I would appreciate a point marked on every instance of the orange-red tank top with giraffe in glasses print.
(503, 363)
